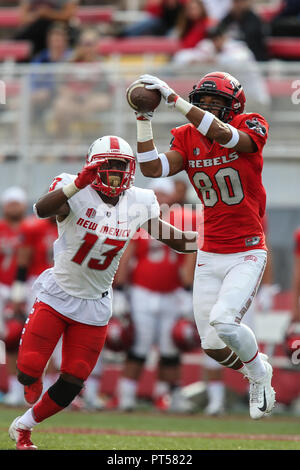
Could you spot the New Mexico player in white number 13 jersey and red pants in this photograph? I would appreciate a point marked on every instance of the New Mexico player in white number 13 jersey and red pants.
(97, 214)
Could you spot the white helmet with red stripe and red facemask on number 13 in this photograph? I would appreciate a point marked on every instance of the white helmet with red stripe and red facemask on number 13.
(116, 172)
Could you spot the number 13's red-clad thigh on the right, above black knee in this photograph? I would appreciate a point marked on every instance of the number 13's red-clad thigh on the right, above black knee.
(81, 347)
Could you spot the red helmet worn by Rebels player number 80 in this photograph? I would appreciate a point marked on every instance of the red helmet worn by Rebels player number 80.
(223, 85)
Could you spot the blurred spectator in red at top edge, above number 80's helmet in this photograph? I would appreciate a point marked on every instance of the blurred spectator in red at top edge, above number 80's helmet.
(193, 24)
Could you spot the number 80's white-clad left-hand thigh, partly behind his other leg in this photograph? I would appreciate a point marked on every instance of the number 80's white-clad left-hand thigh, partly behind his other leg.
(206, 289)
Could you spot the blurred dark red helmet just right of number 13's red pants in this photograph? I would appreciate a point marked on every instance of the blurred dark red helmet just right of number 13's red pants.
(120, 334)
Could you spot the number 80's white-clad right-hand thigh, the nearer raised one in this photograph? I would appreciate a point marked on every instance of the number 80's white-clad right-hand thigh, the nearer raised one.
(239, 287)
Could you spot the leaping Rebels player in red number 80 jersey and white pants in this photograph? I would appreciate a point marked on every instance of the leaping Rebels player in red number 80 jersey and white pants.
(221, 151)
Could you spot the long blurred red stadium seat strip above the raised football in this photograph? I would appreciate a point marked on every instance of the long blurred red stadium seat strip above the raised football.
(141, 45)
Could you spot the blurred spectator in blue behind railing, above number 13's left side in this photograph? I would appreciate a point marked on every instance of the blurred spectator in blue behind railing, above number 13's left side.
(44, 84)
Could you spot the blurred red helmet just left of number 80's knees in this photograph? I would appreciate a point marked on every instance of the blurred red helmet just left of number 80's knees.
(185, 335)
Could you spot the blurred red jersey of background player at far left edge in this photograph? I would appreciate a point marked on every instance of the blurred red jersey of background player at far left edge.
(9, 242)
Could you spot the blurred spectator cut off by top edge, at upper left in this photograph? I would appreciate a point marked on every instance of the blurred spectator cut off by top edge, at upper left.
(37, 16)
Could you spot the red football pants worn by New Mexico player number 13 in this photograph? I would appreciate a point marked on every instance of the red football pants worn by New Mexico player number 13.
(81, 344)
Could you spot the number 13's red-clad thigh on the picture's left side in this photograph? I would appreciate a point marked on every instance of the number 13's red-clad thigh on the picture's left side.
(41, 333)
